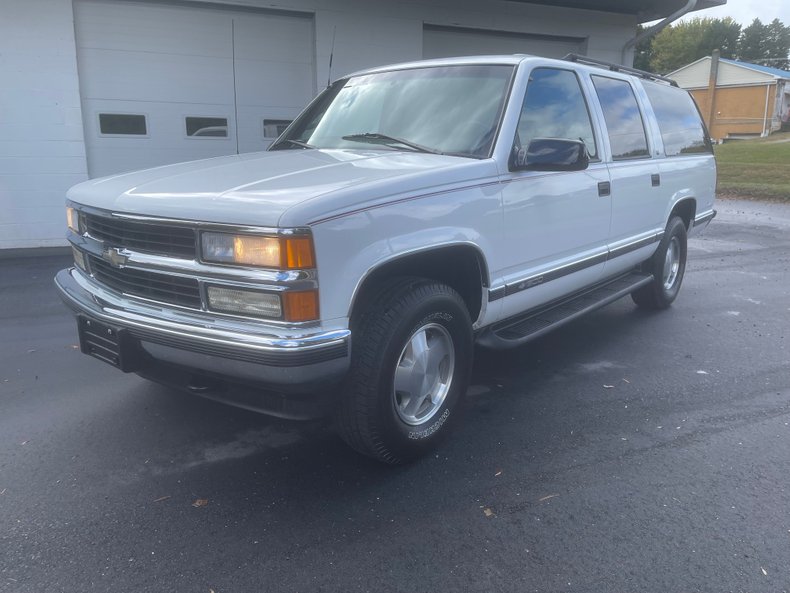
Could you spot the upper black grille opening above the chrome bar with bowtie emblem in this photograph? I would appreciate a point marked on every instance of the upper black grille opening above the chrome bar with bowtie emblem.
(161, 239)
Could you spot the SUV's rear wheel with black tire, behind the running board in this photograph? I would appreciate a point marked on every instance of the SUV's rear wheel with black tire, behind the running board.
(664, 288)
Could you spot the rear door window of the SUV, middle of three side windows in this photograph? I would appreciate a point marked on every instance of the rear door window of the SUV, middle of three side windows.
(623, 118)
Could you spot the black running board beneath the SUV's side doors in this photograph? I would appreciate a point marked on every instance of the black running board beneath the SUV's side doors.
(536, 323)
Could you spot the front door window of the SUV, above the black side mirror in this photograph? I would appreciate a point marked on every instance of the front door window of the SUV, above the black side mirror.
(554, 107)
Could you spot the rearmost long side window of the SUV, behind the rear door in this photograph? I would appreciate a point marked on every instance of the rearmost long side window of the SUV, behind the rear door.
(679, 121)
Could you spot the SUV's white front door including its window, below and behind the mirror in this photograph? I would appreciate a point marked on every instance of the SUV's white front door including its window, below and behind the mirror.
(556, 224)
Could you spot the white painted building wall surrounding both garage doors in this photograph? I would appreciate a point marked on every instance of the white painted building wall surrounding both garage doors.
(42, 150)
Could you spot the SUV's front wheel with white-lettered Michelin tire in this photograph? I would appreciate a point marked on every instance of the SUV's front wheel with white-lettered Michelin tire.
(368, 416)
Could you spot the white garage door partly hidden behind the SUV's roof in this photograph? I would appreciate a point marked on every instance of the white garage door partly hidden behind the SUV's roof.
(445, 42)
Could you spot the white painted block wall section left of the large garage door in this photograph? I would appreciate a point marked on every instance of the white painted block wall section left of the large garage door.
(42, 152)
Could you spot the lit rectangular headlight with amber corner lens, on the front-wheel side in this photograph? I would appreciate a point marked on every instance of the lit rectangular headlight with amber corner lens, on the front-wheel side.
(253, 250)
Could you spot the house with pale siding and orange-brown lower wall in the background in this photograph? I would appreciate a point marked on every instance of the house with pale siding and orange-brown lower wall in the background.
(737, 99)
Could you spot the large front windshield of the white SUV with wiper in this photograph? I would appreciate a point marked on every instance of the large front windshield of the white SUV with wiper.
(449, 110)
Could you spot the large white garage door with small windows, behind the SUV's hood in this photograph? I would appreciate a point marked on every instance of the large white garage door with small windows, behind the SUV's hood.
(166, 83)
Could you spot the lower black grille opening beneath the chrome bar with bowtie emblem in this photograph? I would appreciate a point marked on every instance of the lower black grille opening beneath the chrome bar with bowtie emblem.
(165, 288)
